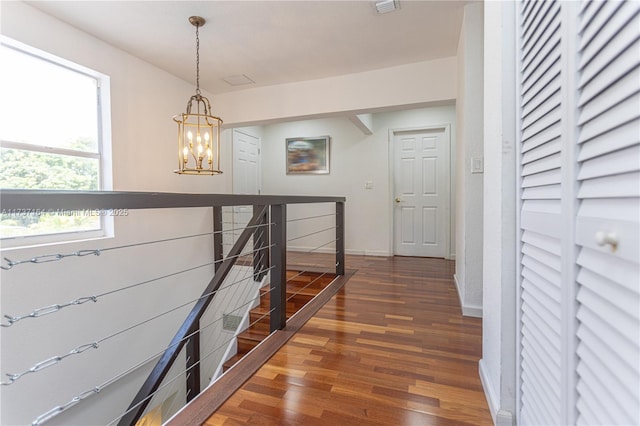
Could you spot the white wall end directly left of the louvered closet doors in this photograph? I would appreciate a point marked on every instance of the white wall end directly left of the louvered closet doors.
(497, 366)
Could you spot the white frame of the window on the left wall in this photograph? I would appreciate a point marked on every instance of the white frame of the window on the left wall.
(103, 154)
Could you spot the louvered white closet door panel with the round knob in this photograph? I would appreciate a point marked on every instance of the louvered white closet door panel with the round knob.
(607, 230)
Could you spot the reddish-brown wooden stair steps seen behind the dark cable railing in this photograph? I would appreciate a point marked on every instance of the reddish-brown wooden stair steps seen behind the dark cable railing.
(301, 288)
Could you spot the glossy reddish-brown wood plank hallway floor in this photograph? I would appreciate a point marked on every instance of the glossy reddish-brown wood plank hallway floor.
(391, 348)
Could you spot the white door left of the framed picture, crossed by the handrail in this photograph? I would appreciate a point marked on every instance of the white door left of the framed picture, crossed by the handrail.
(246, 175)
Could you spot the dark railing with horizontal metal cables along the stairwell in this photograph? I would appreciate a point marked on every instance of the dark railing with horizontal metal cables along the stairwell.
(105, 352)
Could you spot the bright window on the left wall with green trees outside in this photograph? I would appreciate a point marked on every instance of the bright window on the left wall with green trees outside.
(54, 134)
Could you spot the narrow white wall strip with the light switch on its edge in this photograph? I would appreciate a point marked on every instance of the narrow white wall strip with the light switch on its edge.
(469, 113)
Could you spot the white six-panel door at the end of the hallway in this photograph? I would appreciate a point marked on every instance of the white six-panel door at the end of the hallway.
(421, 193)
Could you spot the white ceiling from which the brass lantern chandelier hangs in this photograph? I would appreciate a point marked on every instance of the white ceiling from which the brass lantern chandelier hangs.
(271, 42)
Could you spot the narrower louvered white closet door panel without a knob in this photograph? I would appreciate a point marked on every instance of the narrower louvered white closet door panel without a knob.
(541, 224)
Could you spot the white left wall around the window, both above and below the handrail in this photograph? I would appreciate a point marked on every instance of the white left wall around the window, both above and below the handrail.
(143, 100)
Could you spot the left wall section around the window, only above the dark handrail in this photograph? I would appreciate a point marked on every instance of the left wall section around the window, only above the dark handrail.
(143, 100)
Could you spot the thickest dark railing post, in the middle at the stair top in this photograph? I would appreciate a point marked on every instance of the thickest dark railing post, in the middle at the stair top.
(278, 298)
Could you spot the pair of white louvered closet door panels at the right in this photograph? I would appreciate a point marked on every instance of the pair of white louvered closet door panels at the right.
(579, 352)
